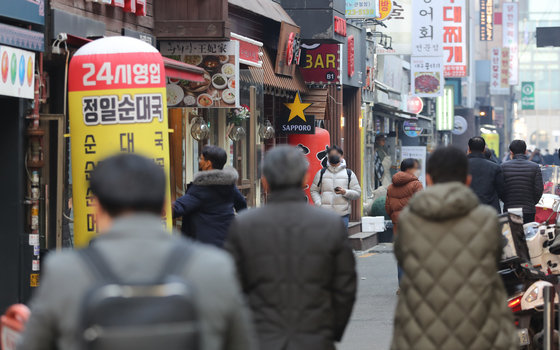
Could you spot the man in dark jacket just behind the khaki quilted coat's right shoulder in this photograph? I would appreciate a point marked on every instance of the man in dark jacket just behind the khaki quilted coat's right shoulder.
(487, 177)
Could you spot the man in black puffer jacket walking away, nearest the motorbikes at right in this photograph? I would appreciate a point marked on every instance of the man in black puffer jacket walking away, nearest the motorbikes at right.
(524, 183)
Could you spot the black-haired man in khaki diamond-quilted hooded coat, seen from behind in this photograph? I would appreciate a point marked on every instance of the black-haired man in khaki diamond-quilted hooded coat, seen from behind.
(447, 245)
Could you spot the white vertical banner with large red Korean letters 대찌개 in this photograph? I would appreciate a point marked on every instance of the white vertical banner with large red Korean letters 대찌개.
(455, 38)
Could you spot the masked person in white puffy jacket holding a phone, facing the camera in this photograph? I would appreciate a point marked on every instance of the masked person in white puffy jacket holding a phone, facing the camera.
(335, 186)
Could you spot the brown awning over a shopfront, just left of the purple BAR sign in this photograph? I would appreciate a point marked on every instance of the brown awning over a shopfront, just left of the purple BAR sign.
(271, 79)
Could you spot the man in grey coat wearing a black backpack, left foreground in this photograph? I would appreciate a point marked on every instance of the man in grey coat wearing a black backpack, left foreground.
(137, 286)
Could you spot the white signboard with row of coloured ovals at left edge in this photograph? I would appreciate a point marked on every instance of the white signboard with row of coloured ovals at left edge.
(17, 72)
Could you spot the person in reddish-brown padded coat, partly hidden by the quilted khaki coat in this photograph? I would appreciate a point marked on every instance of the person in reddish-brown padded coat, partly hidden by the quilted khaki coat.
(405, 185)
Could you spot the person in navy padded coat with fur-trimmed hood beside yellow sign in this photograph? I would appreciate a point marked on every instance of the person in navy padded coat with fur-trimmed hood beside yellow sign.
(208, 206)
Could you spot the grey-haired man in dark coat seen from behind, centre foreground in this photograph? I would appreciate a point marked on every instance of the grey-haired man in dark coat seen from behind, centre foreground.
(294, 261)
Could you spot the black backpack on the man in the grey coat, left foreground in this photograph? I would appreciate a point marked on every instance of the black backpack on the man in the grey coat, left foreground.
(148, 315)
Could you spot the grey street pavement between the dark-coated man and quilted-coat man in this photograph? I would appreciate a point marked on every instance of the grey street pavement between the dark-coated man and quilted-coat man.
(371, 325)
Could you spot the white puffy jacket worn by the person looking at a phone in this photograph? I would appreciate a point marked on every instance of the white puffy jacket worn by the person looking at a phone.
(334, 177)
